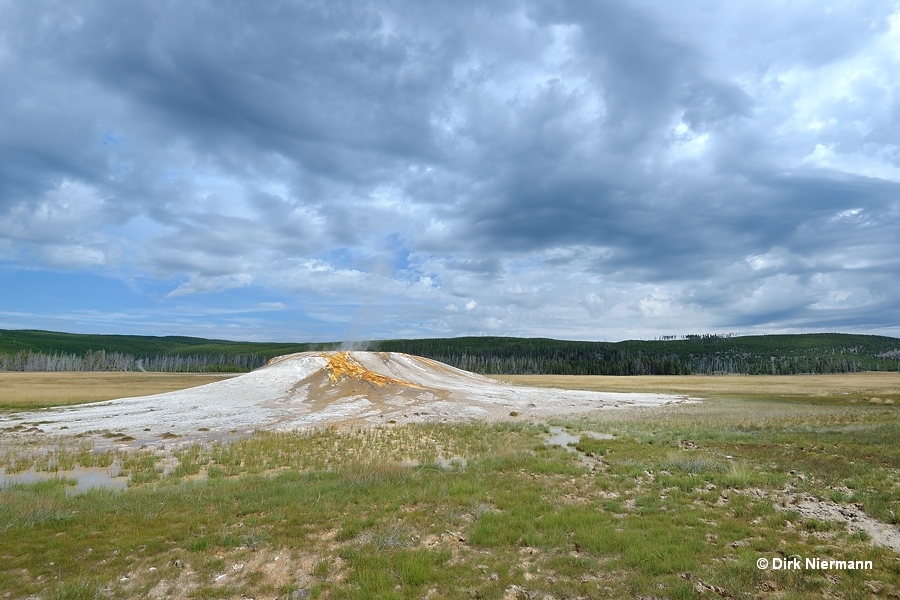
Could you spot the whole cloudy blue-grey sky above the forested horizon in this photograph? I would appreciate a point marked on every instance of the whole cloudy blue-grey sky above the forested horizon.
(348, 170)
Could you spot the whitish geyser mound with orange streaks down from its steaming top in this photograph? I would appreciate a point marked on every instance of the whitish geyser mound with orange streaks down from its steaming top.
(316, 389)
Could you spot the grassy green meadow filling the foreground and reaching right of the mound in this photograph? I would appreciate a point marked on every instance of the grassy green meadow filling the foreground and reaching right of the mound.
(681, 502)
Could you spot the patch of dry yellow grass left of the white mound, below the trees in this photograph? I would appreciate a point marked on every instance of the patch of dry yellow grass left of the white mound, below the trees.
(20, 390)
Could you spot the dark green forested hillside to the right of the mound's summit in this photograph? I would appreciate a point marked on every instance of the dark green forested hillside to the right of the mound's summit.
(708, 354)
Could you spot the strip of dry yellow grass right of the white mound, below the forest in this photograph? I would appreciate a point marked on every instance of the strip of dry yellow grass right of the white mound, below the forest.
(855, 386)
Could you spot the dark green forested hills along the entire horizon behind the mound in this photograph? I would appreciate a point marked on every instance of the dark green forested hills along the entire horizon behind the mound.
(30, 350)
